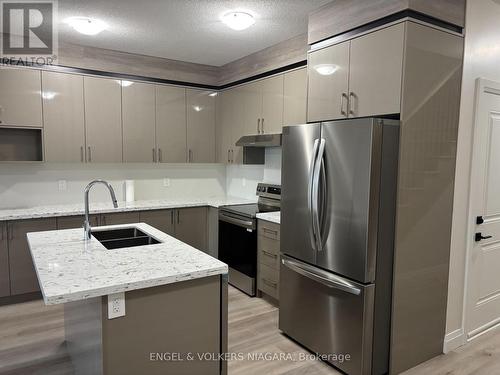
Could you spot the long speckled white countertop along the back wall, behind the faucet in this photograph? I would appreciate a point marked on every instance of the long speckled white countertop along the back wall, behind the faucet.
(107, 207)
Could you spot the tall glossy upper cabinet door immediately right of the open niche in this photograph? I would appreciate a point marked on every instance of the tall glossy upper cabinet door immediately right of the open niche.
(63, 117)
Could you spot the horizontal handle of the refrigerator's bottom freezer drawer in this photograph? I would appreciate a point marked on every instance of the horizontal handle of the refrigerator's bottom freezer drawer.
(320, 276)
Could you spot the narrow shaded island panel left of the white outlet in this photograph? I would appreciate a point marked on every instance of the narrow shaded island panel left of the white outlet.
(83, 332)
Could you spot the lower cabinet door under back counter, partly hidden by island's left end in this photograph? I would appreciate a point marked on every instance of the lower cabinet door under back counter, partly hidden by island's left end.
(23, 277)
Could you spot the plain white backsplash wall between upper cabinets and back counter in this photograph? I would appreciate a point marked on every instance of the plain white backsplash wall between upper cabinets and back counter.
(27, 185)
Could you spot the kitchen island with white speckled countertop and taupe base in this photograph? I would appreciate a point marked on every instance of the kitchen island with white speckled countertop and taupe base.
(169, 299)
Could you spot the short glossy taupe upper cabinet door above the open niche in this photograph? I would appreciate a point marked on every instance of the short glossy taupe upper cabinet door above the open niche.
(20, 97)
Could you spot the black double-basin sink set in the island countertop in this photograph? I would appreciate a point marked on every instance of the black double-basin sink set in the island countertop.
(121, 238)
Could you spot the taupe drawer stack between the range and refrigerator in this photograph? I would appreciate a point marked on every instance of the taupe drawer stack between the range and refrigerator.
(268, 258)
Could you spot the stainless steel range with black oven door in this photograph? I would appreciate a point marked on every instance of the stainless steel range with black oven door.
(238, 236)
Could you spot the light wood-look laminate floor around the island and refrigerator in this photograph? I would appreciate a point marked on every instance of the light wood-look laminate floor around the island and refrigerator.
(32, 335)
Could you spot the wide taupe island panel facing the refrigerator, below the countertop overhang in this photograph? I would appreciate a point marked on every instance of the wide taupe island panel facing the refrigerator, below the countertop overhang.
(183, 317)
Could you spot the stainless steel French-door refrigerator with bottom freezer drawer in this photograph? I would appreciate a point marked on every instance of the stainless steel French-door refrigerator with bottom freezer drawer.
(337, 232)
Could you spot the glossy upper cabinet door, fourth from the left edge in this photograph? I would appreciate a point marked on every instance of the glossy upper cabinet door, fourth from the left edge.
(138, 116)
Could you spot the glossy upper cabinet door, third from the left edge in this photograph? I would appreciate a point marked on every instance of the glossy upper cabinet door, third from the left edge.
(103, 119)
